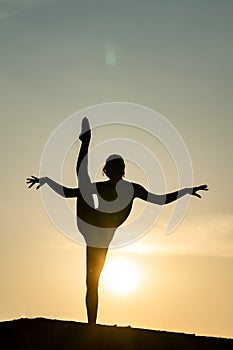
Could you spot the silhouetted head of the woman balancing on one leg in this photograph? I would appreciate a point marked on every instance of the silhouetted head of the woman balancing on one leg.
(114, 167)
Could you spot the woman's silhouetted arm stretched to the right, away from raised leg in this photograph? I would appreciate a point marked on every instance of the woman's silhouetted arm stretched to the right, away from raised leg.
(161, 199)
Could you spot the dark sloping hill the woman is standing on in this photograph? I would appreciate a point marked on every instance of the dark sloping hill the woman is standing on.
(45, 334)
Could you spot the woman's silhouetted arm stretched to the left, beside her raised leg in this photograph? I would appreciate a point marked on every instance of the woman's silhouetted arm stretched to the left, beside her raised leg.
(59, 189)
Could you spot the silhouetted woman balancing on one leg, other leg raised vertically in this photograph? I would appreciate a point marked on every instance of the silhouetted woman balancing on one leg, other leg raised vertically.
(115, 199)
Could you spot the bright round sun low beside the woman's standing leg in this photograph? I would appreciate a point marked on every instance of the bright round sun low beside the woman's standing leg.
(120, 275)
